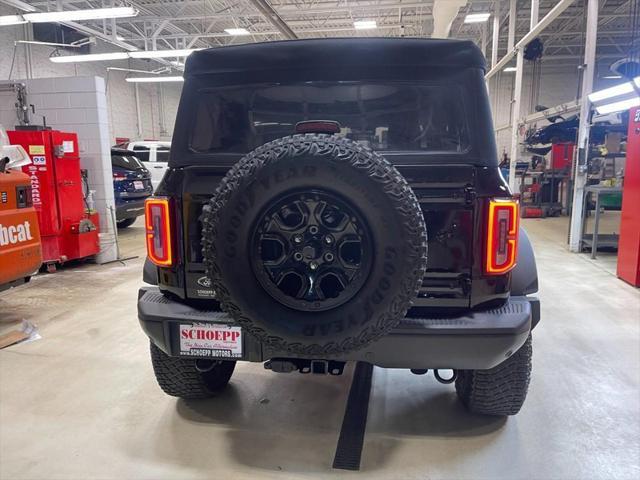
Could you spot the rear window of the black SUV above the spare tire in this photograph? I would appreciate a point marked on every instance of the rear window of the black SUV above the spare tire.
(383, 116)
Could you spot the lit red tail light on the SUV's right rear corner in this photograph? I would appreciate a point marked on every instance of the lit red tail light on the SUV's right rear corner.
(502, 236)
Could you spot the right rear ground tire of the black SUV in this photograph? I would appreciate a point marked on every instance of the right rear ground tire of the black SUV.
(500, 390)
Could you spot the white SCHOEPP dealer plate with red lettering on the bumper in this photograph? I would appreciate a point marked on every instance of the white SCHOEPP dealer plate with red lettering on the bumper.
(210, 340)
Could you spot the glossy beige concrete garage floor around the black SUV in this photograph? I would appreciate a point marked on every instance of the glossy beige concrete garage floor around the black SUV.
(82, 402)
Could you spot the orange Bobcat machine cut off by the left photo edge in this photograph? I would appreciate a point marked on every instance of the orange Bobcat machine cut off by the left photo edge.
(20, 249)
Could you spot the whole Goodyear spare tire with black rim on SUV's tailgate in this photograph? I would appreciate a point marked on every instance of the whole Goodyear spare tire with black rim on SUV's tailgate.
(314, 244)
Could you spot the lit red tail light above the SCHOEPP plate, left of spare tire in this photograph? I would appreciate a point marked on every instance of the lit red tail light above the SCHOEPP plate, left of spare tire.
(159, 235)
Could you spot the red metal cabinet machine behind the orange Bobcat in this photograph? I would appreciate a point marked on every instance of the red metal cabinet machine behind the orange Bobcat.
(68, 231)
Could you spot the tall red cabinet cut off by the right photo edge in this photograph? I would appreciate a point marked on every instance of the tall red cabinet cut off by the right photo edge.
(629, 243)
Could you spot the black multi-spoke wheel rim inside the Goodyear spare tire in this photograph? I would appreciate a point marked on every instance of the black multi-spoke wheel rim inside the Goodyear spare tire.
(311, 250)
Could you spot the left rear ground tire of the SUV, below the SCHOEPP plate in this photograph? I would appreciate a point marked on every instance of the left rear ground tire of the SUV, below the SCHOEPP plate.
(178, 377)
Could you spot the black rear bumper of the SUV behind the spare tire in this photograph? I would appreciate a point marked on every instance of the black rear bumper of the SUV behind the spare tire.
(478, 340)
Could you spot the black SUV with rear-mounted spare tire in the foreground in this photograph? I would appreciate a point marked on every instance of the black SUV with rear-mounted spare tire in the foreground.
(338, 200)
